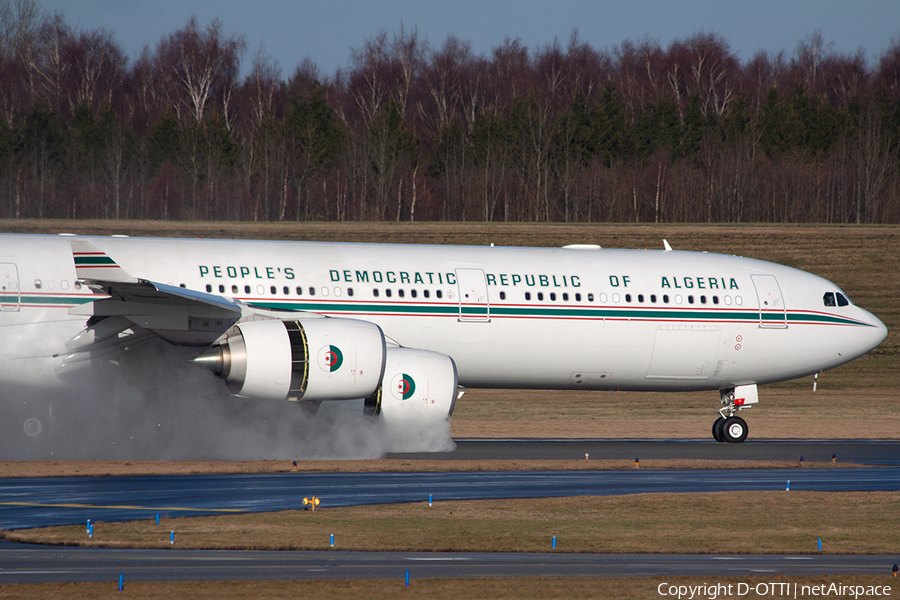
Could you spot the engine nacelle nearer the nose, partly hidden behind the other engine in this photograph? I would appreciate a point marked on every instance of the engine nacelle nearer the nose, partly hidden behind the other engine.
(419, 386)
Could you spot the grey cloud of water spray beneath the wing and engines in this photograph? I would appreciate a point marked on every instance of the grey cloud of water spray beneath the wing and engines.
(153, 404)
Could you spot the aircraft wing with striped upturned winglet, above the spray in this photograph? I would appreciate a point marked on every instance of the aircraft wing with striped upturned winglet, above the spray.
(176, 314)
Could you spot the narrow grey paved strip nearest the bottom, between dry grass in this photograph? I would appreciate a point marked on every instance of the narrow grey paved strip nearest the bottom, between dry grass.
(39, 564)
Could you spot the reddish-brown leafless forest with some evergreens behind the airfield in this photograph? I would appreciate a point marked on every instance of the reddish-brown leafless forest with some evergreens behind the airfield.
(419, 130)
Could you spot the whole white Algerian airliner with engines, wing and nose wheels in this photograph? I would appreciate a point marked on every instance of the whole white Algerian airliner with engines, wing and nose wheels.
(409, 327)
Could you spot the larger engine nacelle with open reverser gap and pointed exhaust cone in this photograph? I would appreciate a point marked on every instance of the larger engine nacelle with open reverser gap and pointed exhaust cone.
(306, 359)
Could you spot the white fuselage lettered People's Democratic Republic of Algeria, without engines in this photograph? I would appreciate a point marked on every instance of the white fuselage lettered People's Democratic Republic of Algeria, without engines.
(509, 317)
